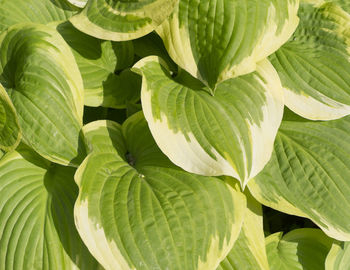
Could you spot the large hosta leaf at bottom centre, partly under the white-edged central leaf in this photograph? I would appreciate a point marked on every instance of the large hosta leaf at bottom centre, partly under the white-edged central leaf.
(136, 211)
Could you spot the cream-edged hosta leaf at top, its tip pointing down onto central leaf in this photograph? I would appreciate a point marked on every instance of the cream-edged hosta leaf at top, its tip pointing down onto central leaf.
(218, 40)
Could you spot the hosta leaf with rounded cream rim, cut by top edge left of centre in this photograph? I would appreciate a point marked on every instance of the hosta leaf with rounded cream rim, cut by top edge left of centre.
(122, 20)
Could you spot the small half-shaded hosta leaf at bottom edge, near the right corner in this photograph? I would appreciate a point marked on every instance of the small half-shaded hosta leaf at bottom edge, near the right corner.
(301, 249)
